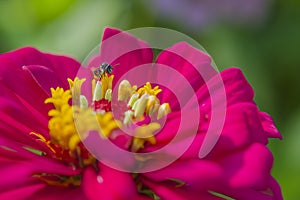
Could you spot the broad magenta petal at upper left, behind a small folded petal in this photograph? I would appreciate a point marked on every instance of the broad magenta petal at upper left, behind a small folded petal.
(21, 82)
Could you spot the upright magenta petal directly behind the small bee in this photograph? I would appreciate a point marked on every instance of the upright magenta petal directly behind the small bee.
(131, 53)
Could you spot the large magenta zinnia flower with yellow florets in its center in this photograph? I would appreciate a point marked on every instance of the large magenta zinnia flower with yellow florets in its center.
(43, 157)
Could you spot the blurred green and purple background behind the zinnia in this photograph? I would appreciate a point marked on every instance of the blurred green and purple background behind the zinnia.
(260, 36)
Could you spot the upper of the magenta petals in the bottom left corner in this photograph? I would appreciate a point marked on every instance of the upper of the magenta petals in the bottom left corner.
(19, 167)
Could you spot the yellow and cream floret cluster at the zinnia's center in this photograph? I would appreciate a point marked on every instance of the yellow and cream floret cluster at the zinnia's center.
(73, 114)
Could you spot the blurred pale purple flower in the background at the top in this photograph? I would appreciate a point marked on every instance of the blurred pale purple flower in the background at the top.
(197, 14)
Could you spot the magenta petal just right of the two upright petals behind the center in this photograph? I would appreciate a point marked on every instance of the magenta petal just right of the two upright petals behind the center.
(230, 89)
